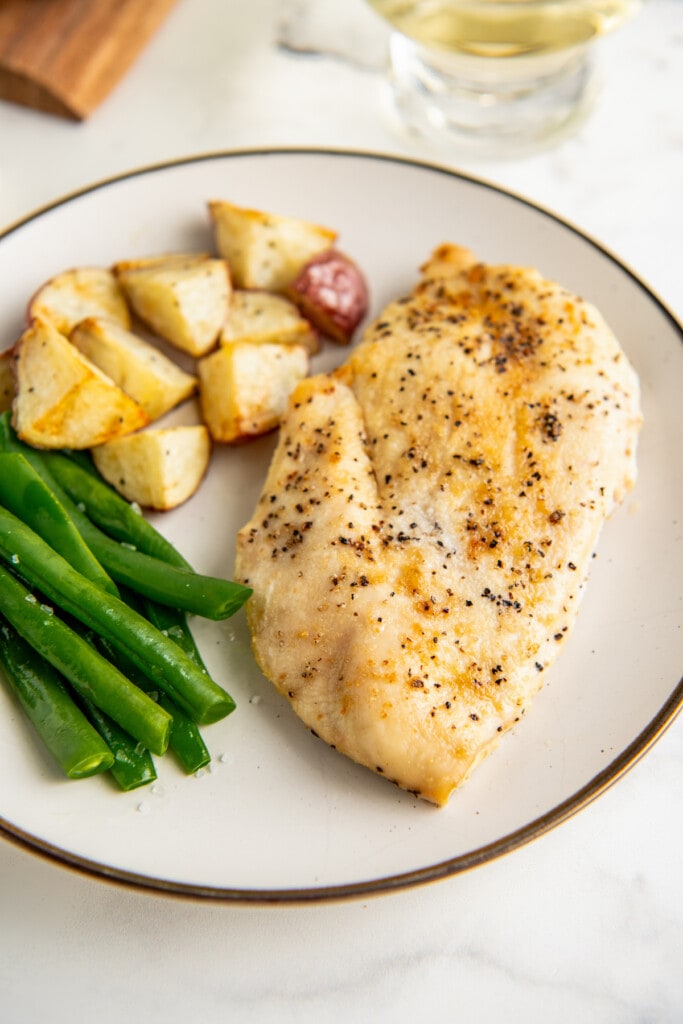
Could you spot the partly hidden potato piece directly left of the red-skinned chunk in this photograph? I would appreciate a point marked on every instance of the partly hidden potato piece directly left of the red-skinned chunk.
(261, 318)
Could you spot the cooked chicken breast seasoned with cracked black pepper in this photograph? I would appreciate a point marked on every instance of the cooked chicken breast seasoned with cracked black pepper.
(424, 535)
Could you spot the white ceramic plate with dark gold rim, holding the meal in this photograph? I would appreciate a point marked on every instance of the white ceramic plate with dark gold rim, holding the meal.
(281, 817)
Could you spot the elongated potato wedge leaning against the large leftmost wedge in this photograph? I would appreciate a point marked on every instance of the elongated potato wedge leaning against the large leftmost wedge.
(157, 383)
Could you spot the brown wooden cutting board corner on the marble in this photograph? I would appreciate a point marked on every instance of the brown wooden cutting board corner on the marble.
(64, 57)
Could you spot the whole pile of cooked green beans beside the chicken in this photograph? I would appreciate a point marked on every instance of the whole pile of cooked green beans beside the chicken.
(95, 642)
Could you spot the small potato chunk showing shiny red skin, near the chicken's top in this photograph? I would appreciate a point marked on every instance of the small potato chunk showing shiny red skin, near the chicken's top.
(331, 292)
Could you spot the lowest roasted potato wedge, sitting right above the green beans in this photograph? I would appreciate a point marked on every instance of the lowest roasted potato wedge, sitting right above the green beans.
(159, 468)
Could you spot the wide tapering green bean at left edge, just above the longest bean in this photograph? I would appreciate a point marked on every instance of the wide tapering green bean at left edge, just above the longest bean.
(25, 493)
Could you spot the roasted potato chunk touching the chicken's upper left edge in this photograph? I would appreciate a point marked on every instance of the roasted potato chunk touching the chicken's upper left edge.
(244, 389)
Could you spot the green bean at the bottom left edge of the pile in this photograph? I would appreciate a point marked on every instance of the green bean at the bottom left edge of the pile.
(77, 748)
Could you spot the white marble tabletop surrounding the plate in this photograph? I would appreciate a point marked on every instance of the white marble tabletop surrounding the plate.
(584, 925)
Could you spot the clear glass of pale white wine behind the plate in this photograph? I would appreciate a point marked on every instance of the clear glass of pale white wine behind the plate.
(496, 72)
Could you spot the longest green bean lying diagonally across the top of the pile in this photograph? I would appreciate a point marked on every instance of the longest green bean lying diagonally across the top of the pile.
(157, 656)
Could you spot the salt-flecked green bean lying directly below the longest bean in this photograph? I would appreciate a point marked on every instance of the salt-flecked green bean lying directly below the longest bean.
(91, 674)
